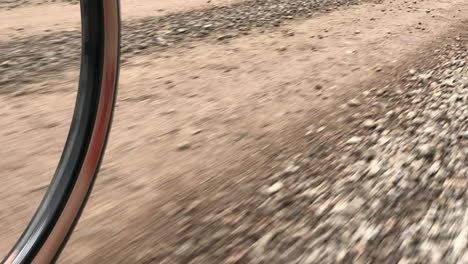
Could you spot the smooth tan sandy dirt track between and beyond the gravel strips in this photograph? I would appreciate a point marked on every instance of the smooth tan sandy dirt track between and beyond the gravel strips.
(236, 106)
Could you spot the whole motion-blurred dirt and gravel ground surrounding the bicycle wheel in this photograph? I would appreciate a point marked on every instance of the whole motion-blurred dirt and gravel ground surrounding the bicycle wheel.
(257, 132)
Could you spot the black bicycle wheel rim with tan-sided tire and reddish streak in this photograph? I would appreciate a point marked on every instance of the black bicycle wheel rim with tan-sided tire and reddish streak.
(61, 207)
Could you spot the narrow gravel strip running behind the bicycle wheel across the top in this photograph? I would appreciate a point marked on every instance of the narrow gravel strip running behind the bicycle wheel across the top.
(24, 60)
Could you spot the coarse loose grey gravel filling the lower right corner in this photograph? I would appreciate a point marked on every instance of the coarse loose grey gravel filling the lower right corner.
(395, 195)
